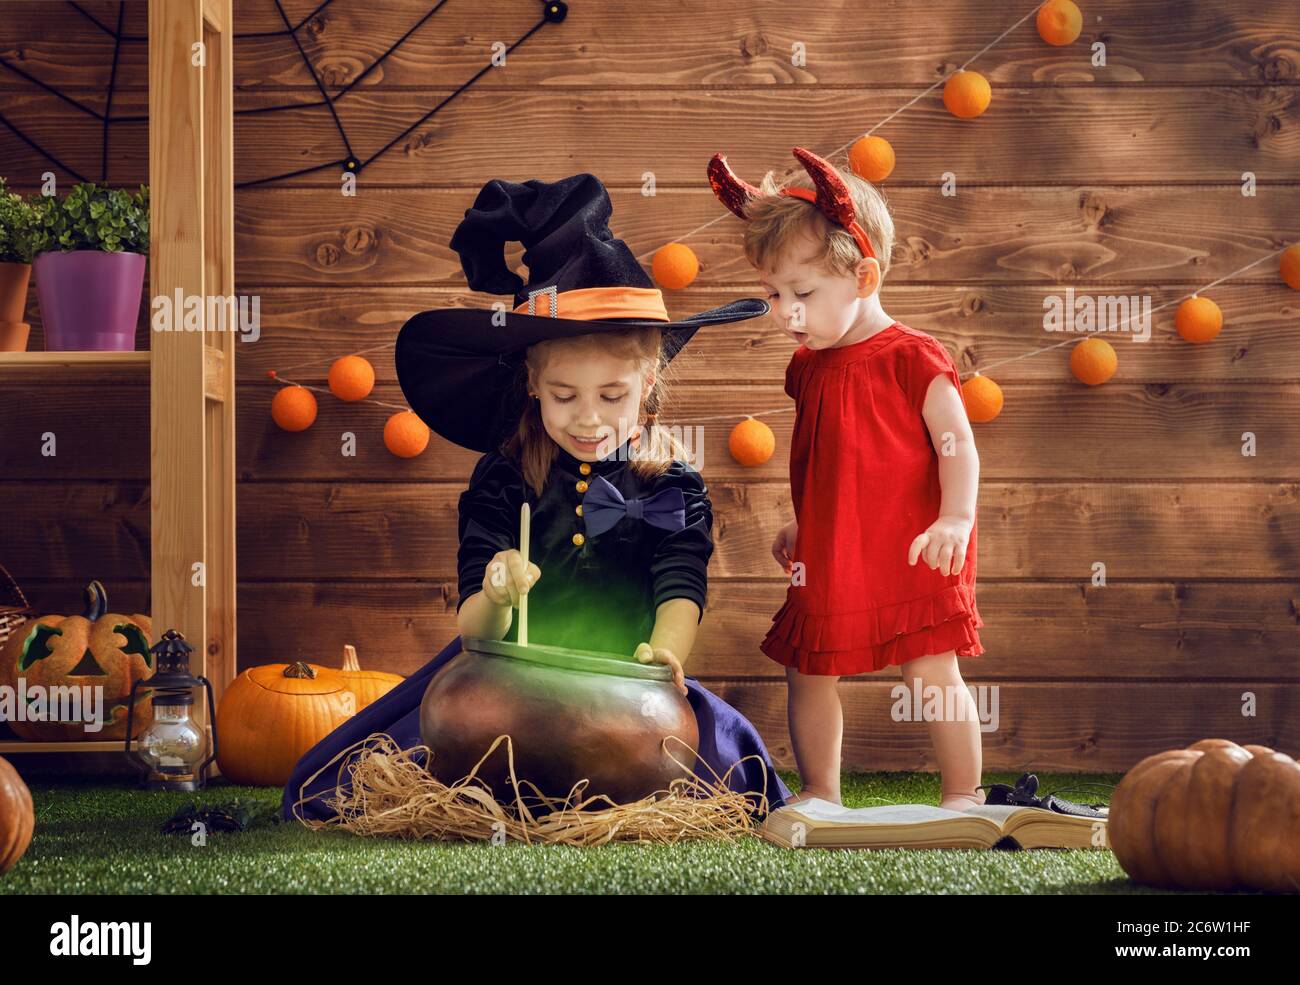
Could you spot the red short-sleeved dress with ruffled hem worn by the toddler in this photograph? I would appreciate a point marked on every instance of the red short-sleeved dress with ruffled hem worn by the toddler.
(865, 484)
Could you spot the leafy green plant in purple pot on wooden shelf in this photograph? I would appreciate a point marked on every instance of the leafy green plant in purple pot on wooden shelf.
(89, 251)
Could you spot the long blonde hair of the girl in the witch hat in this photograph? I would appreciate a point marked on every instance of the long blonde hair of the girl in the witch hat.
(535, 450)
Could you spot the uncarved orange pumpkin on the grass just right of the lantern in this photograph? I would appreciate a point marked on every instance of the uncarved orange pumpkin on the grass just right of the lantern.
(270, 717)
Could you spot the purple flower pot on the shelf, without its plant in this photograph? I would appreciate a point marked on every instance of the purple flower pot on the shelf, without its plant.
(89, 300)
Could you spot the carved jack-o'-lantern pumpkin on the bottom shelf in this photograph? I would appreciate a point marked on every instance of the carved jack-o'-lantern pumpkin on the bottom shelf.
(97, 649)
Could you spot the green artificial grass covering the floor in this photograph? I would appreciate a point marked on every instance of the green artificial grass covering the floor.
(105, 838)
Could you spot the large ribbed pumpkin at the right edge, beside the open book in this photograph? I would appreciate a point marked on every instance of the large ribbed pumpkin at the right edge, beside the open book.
(1215, 815)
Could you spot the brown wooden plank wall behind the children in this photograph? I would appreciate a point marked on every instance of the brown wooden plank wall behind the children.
(1119, 180)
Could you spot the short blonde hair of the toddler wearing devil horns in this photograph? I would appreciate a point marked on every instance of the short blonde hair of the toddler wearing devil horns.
(777, 222)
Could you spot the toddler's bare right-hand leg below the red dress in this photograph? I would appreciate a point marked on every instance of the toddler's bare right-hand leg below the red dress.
(957, 743)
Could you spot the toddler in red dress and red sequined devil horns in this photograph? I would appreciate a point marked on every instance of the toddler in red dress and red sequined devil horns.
(883, 476)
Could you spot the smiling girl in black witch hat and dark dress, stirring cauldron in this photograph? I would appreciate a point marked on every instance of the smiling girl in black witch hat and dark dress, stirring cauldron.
(561, 394)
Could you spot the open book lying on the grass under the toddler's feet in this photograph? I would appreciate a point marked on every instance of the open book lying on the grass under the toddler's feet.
(816, 823)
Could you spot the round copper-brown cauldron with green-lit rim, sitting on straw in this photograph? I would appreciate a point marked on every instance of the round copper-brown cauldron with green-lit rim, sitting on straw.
(571, 715)
